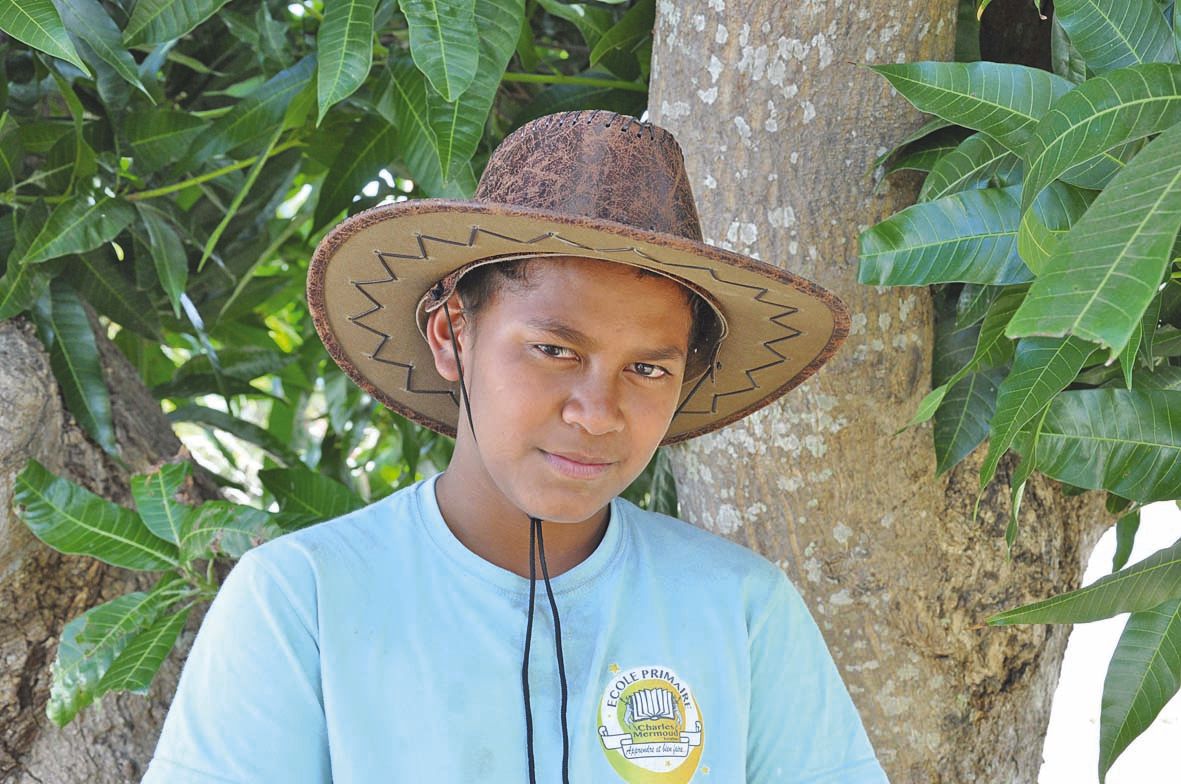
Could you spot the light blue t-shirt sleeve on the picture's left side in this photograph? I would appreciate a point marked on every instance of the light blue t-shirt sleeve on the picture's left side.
(249, 707)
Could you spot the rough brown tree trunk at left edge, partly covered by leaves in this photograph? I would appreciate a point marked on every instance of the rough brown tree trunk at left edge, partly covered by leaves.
(42, 590)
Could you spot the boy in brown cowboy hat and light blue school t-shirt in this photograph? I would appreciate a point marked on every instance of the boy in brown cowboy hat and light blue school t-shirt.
(562, 326)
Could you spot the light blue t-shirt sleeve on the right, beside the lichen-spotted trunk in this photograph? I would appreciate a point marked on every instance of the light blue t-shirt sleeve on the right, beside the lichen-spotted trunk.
(804, 726)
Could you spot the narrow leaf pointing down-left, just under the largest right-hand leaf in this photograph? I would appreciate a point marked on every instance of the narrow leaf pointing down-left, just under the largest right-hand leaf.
(1042, 368)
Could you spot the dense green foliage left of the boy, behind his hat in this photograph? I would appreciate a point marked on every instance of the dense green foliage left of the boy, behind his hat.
(167, 168)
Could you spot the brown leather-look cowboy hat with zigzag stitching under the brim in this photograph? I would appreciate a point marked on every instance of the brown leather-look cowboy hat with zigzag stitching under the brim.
(593, 185)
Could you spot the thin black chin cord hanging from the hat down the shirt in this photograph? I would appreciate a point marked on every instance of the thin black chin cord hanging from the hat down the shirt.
(537, 553)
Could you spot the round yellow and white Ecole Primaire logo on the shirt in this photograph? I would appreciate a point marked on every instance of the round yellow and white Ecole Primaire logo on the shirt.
(650, 726)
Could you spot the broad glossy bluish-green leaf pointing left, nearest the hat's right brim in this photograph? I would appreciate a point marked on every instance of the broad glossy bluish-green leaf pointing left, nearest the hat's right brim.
(968, 237)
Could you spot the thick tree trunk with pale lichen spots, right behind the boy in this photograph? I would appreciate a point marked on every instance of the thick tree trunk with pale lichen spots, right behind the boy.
(780, 129)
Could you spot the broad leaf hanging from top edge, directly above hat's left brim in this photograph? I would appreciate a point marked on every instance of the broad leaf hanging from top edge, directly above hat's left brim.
(445, 42)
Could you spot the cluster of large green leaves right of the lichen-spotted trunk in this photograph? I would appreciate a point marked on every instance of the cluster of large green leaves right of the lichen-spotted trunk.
(1050, 232)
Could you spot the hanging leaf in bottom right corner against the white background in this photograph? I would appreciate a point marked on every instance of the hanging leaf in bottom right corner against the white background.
(1144, 676)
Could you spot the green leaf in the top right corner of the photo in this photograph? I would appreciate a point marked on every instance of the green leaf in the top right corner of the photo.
(1117, 35)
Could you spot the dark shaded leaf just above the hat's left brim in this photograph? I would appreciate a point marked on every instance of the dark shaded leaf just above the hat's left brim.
(373, 147)
